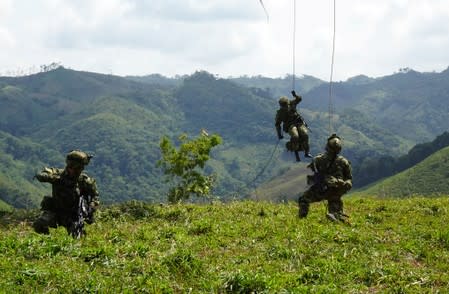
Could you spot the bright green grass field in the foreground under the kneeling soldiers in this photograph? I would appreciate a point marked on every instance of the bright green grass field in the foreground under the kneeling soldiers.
(391, 246)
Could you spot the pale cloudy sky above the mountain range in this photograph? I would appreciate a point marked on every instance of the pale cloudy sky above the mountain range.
(225, 37)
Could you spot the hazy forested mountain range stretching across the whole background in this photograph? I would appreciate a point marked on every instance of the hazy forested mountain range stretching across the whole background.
(121, 120)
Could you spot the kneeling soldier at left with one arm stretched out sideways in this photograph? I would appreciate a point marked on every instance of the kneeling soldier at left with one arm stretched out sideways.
(67, 186)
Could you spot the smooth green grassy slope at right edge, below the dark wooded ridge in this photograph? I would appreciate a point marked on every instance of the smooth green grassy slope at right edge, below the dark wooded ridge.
(429, 177)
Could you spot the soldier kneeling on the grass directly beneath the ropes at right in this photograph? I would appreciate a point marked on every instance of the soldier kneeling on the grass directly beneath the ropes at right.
(332, 178)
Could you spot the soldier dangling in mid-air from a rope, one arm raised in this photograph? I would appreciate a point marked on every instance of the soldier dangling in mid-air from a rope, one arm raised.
(293, 124)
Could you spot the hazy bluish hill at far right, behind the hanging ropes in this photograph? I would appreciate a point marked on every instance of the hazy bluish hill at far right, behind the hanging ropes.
(409, 103)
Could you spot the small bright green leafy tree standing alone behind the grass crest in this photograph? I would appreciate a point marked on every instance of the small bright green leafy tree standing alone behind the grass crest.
(184, 167)
